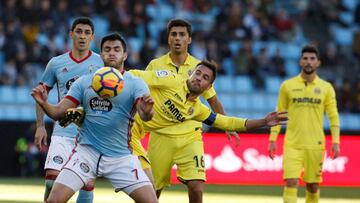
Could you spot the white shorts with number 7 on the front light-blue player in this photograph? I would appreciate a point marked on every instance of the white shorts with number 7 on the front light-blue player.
(124, 173)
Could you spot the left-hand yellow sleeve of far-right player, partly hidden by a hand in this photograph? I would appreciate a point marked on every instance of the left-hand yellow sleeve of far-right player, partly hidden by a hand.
(282, 105)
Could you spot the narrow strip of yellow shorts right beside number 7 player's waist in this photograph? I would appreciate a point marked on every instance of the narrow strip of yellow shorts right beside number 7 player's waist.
(138, 133)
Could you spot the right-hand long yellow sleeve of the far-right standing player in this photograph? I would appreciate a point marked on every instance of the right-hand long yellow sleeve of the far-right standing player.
(333, 115)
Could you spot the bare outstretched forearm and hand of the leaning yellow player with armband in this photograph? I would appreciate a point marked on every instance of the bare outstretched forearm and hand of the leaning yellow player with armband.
(272, 119)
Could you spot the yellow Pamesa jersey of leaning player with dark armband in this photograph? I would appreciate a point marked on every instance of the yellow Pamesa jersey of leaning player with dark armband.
(171, 105)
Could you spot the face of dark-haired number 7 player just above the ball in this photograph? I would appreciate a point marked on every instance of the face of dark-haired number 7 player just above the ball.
(113, 54)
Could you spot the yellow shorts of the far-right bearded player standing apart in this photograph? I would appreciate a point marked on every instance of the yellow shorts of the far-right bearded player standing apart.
(309, 161)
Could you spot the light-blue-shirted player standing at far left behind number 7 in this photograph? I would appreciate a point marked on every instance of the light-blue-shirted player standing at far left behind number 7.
(63, 70)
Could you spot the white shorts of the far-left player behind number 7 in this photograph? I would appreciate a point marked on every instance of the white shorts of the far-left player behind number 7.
(59, 152)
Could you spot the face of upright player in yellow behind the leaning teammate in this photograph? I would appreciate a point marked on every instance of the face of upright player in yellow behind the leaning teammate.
(178, 40)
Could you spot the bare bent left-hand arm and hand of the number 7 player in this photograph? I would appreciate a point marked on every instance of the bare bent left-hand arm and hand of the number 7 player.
(55, 112)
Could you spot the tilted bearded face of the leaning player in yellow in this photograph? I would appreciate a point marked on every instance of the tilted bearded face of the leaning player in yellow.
(200, 80)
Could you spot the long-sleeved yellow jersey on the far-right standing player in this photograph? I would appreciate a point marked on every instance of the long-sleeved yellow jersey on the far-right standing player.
(306, 104)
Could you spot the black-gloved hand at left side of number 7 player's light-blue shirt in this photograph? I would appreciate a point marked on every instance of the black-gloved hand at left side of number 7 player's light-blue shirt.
(73, 115)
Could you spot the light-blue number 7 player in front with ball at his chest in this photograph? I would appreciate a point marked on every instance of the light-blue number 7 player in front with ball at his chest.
(103, 148)
